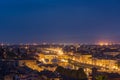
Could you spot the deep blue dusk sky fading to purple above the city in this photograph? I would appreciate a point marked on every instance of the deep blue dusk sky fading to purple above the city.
(59, 20)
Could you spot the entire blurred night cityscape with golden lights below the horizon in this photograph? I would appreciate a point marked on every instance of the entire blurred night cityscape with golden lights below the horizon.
(60, 62)
